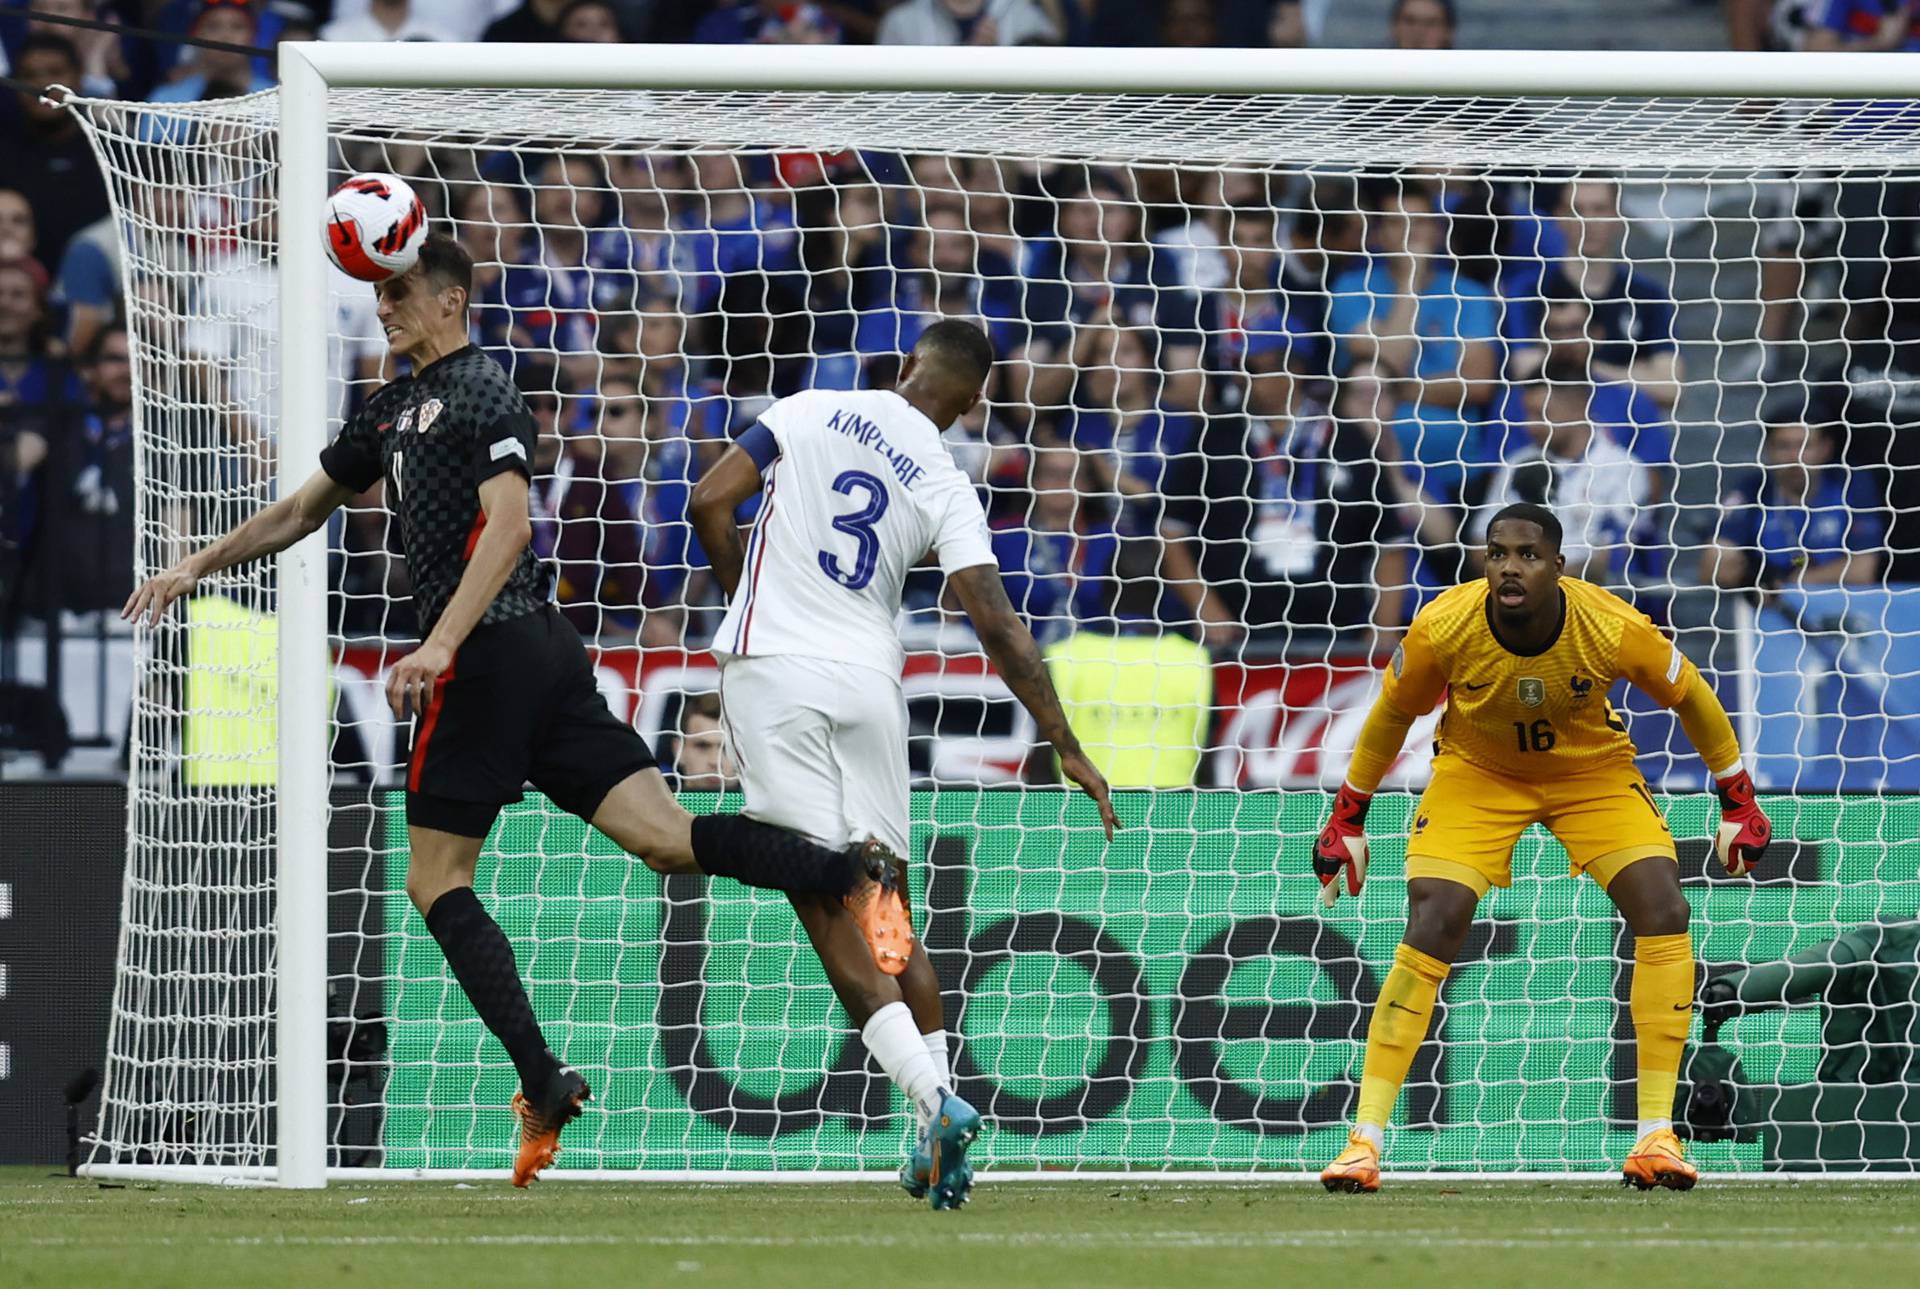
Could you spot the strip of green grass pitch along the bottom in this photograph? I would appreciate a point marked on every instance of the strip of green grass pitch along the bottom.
(1116, 1234)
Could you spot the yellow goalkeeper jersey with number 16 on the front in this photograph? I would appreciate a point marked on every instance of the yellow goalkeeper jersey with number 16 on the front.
(1537, 716)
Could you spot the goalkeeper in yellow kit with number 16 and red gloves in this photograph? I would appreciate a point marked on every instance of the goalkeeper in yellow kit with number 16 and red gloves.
(1529, 737)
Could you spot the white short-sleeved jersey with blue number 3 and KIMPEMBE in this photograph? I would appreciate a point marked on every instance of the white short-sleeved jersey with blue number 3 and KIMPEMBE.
(861, 491)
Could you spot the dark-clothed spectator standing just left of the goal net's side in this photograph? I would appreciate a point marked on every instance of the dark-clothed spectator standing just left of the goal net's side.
(99, 537)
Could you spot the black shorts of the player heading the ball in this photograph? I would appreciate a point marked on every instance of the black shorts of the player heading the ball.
(517, 708)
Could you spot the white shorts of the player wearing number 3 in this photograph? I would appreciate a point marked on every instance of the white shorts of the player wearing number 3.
(821, 746)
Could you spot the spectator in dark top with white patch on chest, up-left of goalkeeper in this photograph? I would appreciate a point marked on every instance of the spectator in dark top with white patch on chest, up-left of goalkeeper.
(1301, 523)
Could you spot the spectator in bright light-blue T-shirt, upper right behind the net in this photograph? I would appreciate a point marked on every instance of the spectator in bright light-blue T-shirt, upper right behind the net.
(1412, 314)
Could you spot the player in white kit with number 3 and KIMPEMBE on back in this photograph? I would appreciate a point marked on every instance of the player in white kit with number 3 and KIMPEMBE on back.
(859, 489)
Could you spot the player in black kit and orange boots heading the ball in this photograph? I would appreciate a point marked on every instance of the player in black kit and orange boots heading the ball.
(502, 687)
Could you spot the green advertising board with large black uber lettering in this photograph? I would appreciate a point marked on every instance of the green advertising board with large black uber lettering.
(1170, 1000)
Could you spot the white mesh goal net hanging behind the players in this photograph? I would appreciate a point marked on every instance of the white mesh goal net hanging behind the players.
(1266, 366)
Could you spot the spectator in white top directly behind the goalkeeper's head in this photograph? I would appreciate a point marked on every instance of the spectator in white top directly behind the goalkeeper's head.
(1579, 474)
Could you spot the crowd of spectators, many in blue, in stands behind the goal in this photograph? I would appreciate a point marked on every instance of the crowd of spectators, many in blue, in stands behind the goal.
(1266, 410)
